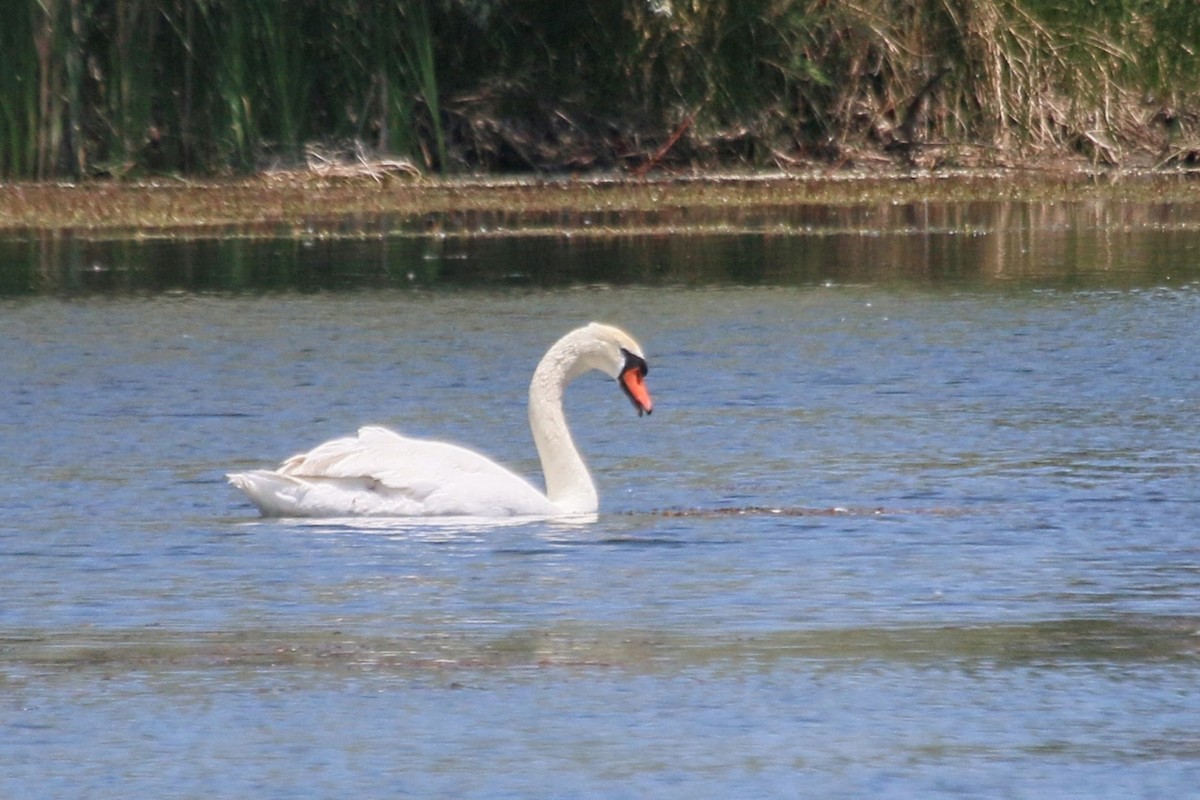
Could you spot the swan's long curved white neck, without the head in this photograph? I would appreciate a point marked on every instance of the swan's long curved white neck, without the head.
(568, 483)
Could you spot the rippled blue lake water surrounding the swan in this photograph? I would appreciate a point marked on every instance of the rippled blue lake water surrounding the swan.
(917, 515)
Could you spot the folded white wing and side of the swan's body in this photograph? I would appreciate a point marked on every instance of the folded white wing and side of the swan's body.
(394, 474)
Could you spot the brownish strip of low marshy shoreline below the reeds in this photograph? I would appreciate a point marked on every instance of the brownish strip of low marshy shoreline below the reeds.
(370, 202)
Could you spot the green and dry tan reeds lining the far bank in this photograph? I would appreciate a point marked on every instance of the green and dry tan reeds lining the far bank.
(213, 87)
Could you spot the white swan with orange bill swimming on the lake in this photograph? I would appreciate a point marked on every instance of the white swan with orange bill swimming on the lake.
(385, 474)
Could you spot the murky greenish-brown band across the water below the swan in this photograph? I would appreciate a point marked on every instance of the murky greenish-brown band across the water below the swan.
(1130, 640)
